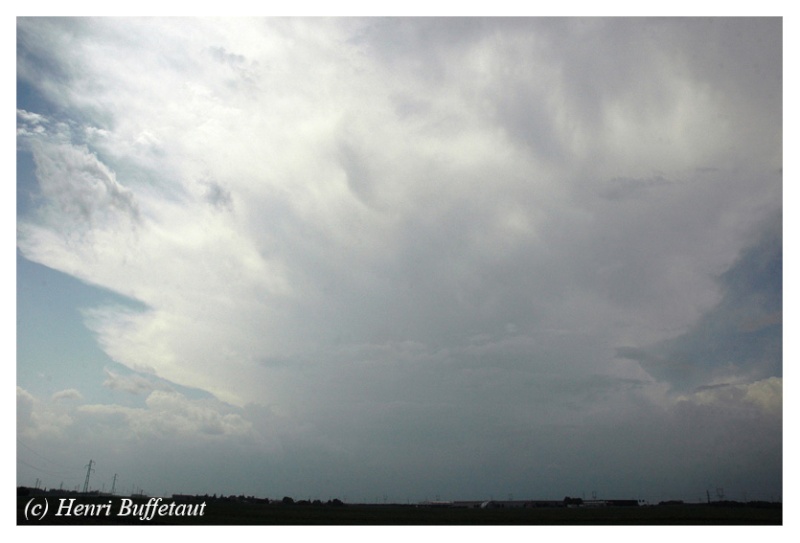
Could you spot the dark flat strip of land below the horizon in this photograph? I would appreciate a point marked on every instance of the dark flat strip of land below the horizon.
(217, 512)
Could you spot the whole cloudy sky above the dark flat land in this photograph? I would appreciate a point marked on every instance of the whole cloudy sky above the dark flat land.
(401, 258)
